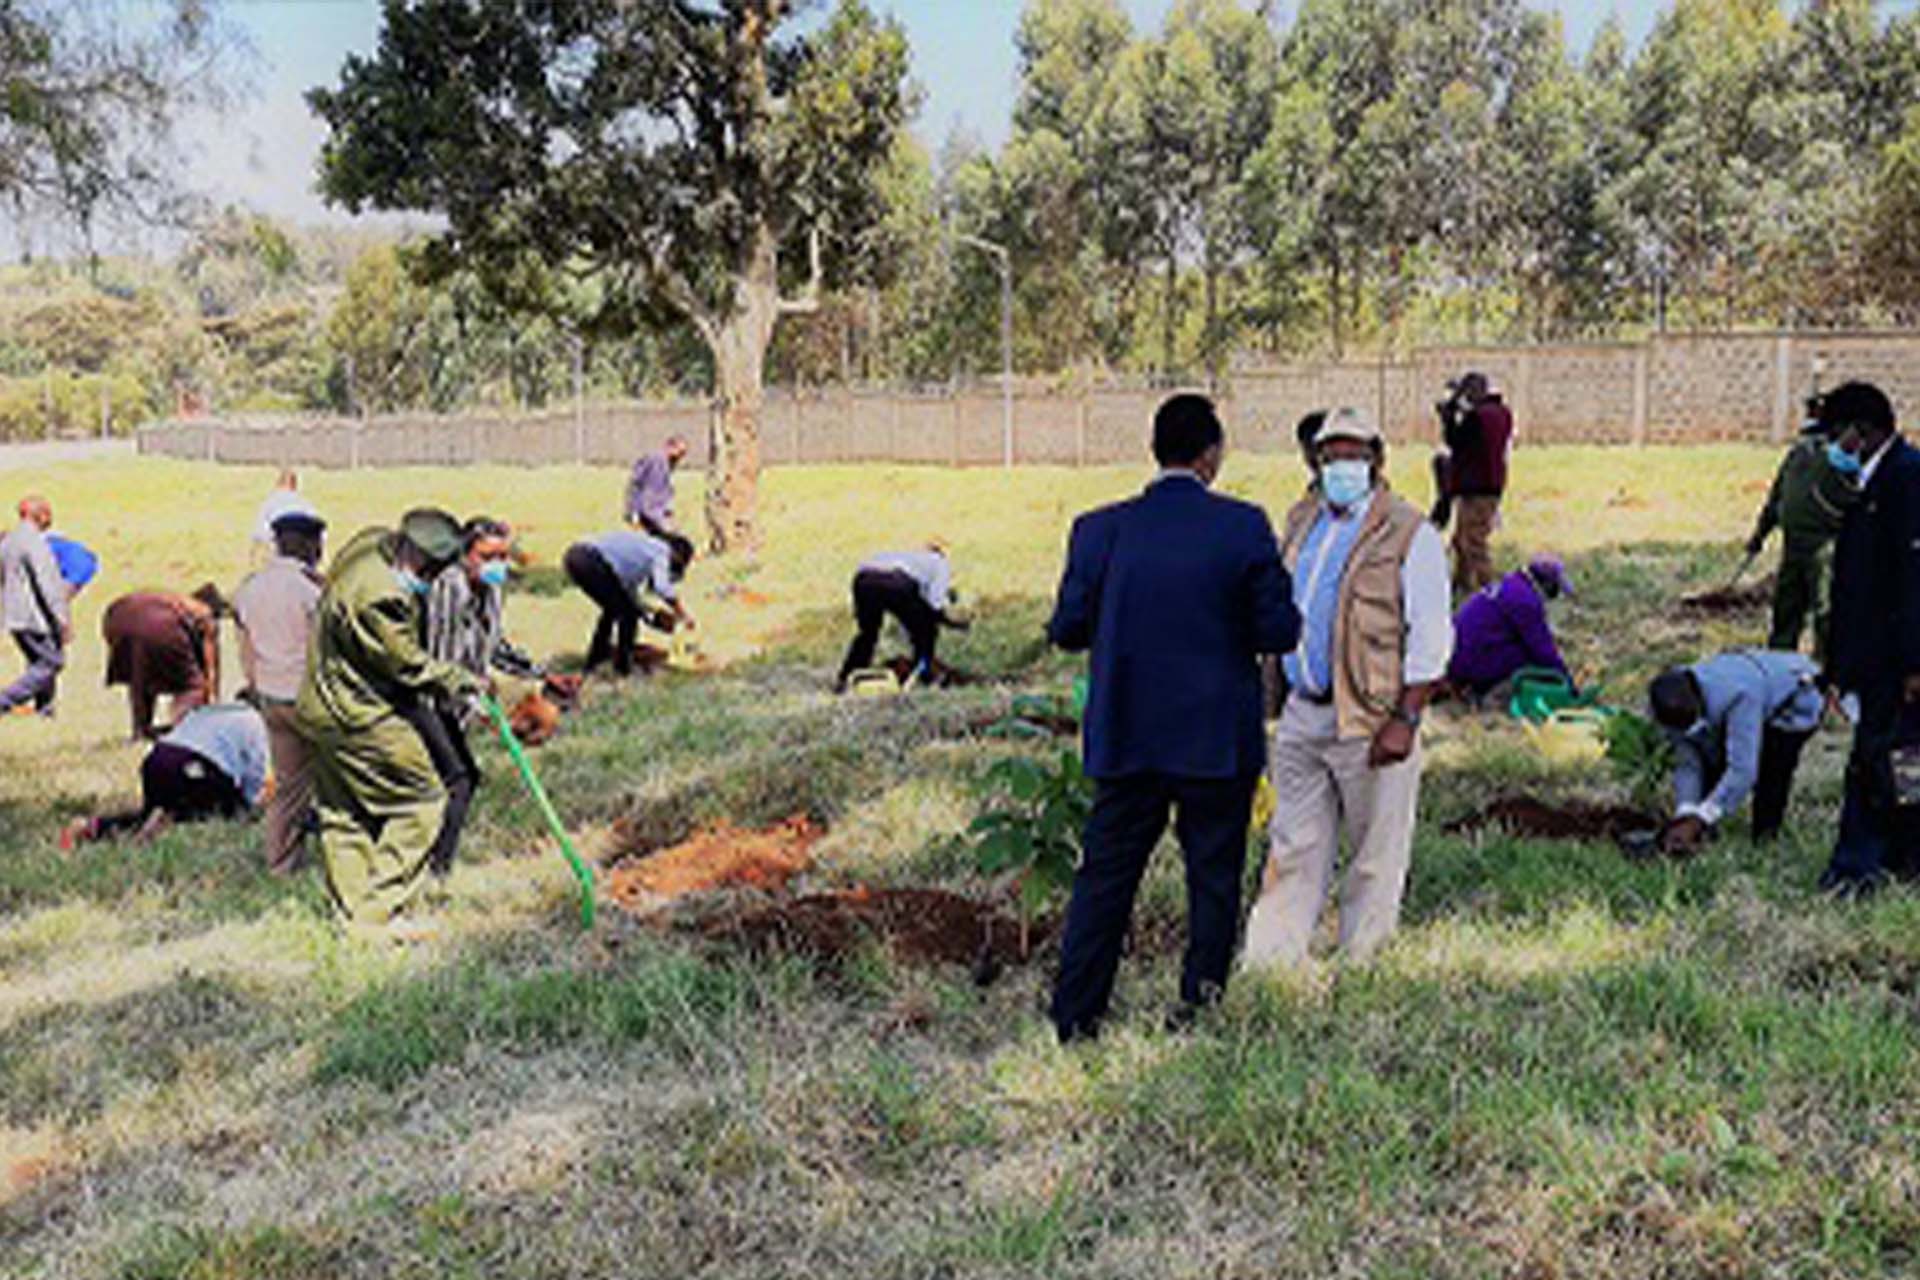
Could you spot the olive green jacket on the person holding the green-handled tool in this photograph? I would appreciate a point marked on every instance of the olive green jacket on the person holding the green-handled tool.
(368, 655)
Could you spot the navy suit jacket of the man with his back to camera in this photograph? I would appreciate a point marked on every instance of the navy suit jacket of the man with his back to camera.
(1176, 592)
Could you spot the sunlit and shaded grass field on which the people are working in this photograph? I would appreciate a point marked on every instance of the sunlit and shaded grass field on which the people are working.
(1568, 1066)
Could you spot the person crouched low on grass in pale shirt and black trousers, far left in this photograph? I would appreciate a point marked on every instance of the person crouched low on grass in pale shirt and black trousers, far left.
(212, 765)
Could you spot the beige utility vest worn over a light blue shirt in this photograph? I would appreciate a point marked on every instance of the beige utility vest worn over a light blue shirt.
(1370, 632)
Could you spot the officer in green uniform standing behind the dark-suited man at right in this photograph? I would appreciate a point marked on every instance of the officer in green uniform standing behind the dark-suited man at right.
(1806, 504)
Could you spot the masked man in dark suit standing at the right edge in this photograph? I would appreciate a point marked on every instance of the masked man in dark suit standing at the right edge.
(1873, 648)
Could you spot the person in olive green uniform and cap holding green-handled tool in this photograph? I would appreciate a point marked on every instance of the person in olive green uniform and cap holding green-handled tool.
(379, 795)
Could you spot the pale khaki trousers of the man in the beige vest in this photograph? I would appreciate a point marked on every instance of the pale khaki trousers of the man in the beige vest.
(1322, 784)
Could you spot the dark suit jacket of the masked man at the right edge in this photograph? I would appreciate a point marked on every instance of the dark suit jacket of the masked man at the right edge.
(1875, 623)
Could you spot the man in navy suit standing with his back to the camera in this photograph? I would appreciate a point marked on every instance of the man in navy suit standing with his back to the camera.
(1174, 594)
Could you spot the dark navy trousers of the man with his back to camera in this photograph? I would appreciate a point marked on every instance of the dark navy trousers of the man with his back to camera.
(1130, 815)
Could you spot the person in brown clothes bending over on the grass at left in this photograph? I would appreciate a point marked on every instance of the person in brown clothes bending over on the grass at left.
(164, 644)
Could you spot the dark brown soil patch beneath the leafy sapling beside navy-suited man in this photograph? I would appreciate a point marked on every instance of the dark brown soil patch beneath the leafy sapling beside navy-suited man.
(919, 926)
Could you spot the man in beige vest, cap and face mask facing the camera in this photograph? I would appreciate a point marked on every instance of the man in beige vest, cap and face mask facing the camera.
(1372, 586)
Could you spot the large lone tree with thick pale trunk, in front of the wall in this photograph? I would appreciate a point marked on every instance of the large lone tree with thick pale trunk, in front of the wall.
(627, 166)
